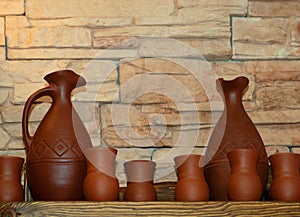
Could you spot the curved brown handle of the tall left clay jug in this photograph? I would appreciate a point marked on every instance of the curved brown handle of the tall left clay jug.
(47, 91)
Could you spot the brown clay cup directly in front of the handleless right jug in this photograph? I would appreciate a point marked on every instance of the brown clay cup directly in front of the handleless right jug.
(244, 183)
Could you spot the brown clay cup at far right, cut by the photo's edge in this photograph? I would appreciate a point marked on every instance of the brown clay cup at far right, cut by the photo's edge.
(285, 184)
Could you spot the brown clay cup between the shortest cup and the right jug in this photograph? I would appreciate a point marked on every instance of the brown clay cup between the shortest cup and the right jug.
(191, 184)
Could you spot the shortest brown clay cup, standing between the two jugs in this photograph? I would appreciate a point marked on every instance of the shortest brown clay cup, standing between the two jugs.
(140, 174)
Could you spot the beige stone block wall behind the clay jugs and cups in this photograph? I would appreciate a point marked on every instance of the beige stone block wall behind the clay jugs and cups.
(113, 42)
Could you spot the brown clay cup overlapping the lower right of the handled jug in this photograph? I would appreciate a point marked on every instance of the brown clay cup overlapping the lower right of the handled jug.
(100, 183)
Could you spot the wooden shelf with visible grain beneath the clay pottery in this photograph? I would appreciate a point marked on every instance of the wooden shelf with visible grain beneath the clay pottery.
(158, 208)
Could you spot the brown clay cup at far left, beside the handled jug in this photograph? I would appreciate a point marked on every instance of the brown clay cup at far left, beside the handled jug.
(10, 179)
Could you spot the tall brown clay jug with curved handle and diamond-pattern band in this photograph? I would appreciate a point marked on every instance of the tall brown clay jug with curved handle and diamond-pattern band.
(55, 164)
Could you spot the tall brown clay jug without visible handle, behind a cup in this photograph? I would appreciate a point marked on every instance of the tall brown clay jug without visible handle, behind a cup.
(234, 130)
